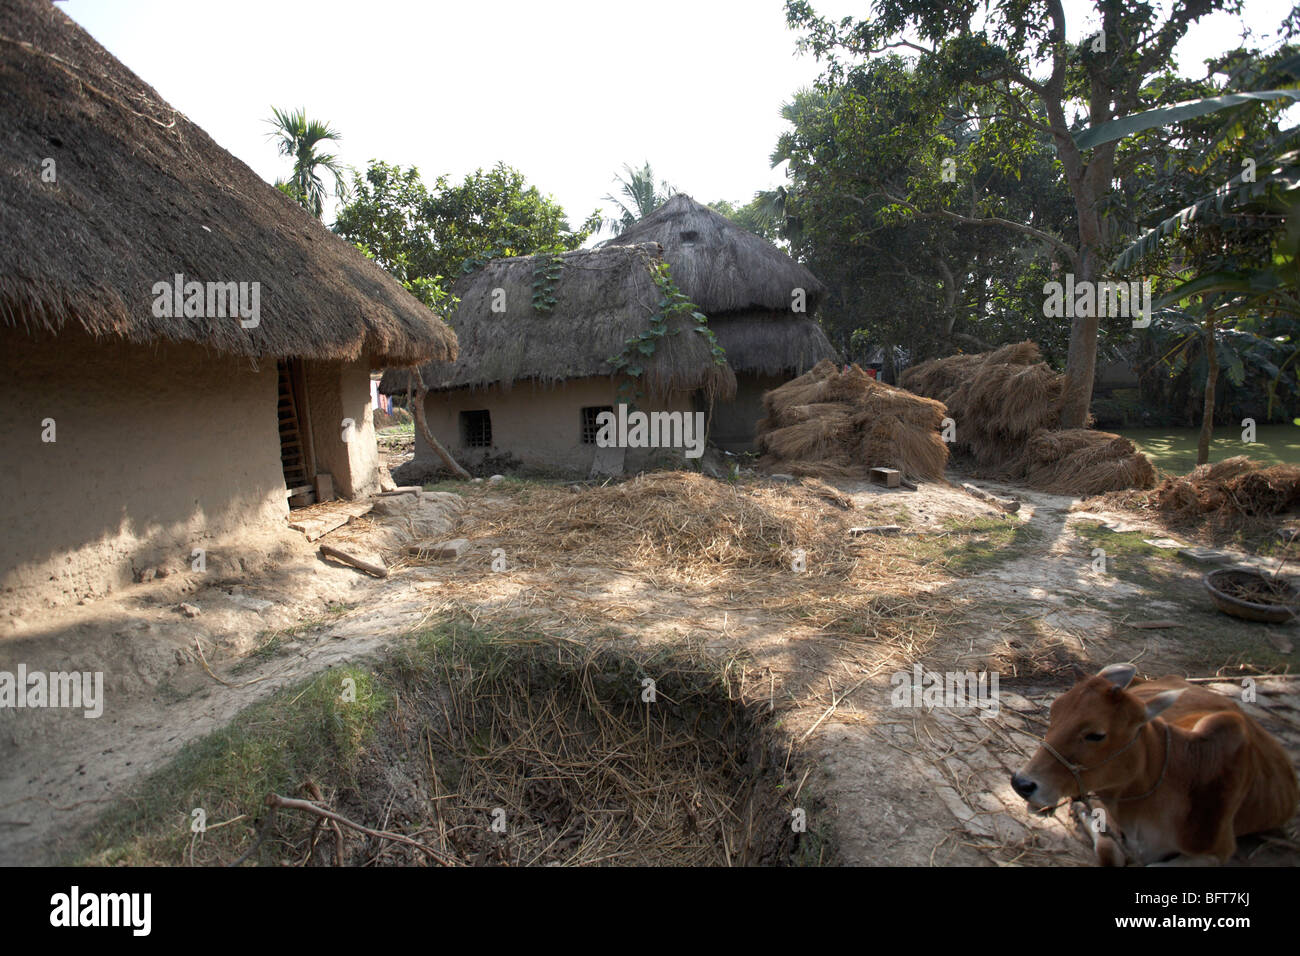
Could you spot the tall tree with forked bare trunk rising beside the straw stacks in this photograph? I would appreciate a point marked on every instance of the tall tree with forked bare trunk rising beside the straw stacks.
(1015, 55)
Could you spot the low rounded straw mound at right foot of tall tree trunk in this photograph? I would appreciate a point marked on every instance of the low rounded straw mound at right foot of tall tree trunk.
(1078, 461)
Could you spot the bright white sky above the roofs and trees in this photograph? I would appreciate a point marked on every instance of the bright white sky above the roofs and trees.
(567, 92)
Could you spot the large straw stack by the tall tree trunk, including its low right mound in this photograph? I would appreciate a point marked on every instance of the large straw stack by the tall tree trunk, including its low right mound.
(1007, 406)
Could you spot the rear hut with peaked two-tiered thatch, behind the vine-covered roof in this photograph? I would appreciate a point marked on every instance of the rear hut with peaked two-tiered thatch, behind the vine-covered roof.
(743, 283)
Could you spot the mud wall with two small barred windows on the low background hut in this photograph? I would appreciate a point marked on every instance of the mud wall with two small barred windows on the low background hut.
(534, 426)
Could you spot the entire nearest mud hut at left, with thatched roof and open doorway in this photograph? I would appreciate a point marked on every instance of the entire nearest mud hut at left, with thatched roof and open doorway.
(136, 431)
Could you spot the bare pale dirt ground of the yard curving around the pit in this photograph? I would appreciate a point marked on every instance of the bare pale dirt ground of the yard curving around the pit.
(1024, 595)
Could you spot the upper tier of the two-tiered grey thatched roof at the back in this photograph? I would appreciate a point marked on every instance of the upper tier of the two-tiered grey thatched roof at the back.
(720, 266)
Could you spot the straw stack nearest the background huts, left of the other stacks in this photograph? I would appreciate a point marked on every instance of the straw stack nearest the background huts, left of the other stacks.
(842, 425)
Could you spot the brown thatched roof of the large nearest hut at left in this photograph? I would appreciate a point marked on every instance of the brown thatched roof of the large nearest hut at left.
(142, 194)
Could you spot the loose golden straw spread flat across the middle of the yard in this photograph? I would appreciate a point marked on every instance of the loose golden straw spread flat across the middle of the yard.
(712, 544)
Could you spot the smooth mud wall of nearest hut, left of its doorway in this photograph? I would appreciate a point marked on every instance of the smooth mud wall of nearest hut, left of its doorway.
(158, 451)
